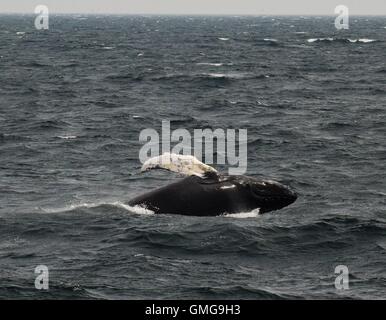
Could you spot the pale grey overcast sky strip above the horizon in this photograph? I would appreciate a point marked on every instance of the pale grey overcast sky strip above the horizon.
(255, 7)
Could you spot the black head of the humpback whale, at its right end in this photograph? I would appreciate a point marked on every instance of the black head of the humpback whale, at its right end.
(270, 195)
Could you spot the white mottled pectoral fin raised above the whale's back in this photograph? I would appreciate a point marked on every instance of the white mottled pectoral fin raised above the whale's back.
(183, 164)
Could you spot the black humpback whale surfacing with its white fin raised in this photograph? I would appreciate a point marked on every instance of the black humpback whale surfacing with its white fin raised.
(205, 192)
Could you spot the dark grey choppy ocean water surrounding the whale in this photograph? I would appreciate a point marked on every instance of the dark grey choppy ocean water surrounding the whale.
(74, 99)
